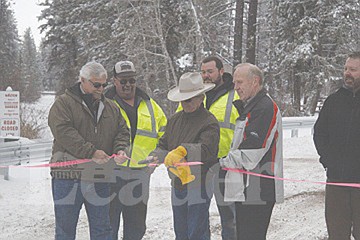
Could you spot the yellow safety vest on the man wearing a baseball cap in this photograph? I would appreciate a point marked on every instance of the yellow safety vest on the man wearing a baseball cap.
(151, 122)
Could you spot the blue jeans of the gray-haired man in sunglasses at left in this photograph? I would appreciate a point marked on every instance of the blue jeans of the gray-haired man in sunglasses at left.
(69, 196)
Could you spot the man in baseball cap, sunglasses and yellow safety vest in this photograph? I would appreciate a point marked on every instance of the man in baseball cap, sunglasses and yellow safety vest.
(146, 121)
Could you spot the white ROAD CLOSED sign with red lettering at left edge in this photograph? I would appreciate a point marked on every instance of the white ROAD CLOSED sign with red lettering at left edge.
(9, 113)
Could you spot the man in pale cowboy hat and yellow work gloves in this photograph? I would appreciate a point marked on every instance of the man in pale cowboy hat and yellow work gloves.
(191, 137)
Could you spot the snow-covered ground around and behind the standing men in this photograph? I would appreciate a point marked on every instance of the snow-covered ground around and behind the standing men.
(26, 207)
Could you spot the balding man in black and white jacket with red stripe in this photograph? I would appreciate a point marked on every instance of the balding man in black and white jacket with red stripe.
(256, 147)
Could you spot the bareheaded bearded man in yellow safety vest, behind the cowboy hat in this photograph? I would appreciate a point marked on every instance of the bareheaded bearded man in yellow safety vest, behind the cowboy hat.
(219, 103)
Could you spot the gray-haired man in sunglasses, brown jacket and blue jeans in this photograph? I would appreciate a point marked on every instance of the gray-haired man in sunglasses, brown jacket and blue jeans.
(85, 125)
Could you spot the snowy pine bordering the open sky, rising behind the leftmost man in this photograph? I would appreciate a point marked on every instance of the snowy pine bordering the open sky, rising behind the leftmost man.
(63, 40)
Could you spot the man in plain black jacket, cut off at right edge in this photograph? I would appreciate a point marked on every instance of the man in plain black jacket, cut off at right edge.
(337, 140)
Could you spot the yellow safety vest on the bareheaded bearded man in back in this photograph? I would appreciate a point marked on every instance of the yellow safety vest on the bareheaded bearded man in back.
(226, 113)
